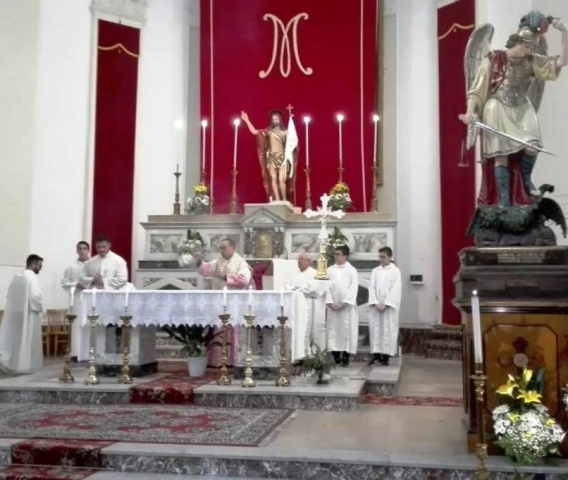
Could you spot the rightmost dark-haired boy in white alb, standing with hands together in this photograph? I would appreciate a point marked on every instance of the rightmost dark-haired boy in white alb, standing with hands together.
(384, 301)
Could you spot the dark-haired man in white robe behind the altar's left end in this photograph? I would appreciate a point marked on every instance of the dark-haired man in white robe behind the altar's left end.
(105, 271)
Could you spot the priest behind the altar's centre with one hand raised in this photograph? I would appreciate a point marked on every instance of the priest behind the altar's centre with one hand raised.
(231, 271)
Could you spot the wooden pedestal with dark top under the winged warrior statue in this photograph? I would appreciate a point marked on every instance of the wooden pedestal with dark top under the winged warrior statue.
(523, 296)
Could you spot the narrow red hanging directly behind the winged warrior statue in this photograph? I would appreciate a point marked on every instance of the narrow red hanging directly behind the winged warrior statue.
(458, 183)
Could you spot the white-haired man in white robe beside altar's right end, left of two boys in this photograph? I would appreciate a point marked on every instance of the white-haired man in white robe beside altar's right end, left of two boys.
(306, 283)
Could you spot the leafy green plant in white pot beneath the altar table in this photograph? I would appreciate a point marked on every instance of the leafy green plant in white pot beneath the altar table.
(195, 339)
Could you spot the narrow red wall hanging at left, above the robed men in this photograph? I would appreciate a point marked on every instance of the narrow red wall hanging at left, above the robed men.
(115, 130)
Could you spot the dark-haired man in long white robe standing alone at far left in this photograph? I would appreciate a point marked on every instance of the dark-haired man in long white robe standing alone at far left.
(21, 349)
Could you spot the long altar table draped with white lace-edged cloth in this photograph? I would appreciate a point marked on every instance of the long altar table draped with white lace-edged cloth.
(155, 308)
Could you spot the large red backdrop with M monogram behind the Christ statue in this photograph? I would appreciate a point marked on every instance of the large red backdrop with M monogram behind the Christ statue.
(236, 44)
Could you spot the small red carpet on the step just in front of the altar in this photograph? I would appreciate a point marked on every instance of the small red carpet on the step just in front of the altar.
(175, 389)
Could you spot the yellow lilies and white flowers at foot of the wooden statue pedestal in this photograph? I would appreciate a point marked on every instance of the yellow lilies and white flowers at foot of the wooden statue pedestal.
(523, 426)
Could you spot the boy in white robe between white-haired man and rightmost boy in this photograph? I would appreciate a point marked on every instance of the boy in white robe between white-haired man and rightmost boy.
(341, 300)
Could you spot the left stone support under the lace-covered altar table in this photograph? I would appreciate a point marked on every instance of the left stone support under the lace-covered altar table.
(142, 351)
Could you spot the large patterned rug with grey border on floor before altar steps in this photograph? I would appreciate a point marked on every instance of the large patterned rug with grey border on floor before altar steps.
(144, 423)
